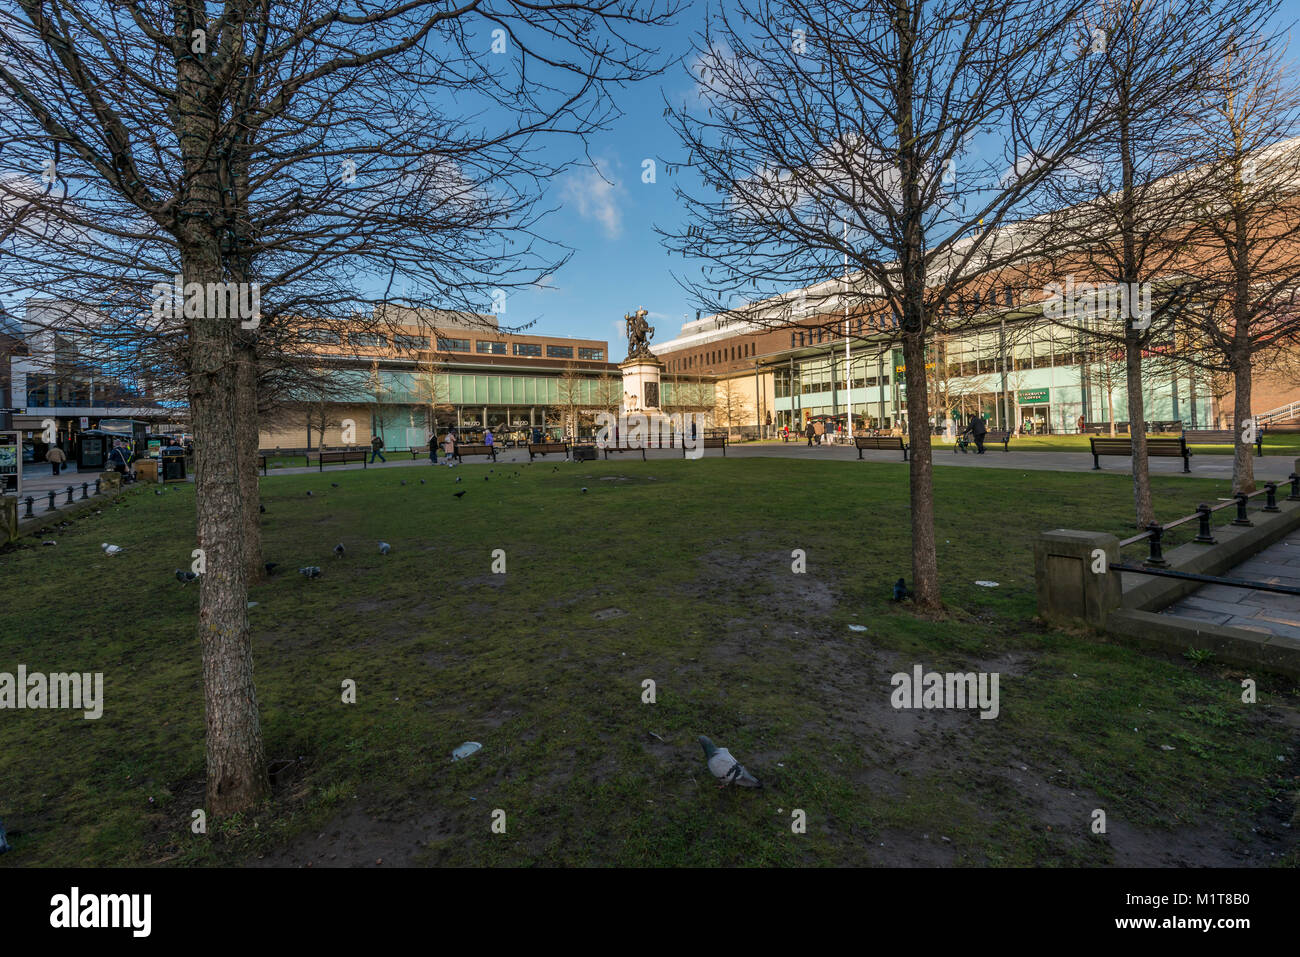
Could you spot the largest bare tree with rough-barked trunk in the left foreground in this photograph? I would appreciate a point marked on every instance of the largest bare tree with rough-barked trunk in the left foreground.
(211, 141)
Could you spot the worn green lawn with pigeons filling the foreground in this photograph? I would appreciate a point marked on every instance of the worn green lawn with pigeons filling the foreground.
(694, 558)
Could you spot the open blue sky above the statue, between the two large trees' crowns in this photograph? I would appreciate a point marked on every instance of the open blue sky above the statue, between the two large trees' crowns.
(618, 265)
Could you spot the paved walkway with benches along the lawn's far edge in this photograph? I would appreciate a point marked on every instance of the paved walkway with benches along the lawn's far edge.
(1268, 469)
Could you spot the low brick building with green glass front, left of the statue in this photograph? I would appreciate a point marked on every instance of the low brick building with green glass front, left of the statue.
(410, 373)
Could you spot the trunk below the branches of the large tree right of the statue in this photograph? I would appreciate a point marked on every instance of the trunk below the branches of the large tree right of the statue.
(925, 561)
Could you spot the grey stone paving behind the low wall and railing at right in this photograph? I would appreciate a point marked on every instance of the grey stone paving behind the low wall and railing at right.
(1242, 608)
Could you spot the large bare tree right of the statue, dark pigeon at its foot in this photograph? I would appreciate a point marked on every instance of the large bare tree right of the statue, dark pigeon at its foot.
(857, 140)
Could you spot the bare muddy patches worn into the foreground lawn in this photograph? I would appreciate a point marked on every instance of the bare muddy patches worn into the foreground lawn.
(904, 751)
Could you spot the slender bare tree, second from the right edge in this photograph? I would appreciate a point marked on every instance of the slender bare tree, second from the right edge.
(1121, 210)
